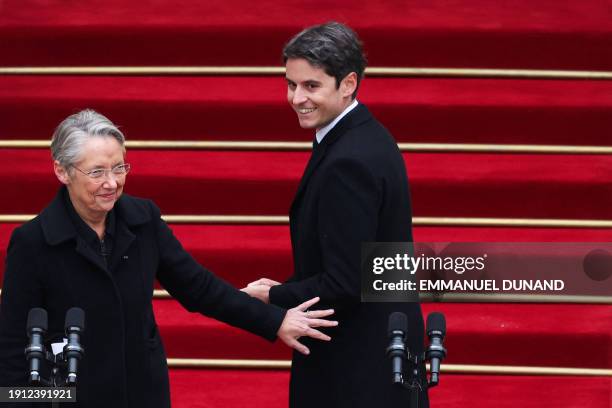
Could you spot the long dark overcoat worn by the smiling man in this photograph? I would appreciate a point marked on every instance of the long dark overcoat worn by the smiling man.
(354, 190)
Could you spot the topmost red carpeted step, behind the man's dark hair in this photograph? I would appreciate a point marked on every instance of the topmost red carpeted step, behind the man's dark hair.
(525, 34)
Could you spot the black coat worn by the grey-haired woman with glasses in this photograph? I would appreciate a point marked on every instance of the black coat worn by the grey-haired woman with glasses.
(50, 266)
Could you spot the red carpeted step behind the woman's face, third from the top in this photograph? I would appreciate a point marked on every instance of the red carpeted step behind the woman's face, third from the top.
(442, 185)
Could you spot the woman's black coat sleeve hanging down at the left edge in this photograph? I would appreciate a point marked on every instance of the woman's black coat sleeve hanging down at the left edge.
(22, 289)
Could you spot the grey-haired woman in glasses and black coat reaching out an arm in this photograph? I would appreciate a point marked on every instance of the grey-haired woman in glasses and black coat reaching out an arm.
(98, 249)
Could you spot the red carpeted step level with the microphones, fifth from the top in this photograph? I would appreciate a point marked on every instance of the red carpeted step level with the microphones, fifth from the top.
(576, 335)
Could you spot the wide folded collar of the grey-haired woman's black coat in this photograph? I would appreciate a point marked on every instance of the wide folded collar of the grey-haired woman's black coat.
(57, 226)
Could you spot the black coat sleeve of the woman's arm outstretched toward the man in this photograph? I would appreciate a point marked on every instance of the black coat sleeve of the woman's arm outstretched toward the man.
(199, 290)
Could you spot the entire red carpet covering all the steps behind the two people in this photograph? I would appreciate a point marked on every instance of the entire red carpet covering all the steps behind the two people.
(438, 33)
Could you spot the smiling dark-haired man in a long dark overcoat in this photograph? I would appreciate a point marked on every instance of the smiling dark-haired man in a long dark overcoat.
(354, 190)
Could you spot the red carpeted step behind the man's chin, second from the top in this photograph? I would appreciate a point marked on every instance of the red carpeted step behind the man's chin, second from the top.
(255, 108)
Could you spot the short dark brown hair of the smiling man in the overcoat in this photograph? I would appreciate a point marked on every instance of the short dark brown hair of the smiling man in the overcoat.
(333, 47)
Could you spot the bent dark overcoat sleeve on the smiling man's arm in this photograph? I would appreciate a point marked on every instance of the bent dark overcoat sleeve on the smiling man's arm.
(349, 200)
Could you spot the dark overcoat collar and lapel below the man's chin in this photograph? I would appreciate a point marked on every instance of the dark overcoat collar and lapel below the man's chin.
(353, 119)
